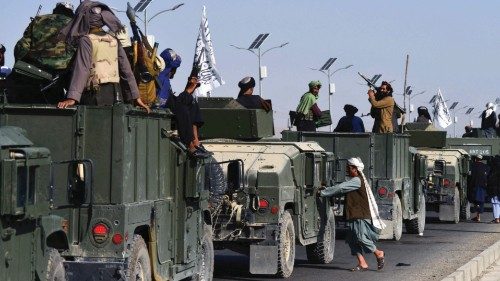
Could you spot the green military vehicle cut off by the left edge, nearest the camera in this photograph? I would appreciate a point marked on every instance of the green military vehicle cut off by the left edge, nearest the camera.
(30, 232)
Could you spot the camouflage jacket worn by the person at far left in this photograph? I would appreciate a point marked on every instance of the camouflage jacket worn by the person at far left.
(40, 46)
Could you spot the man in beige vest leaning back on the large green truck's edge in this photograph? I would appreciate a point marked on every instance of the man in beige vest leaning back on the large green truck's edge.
(100, 61)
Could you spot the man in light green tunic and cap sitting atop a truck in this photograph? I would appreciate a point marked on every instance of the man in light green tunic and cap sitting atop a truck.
(308, 110)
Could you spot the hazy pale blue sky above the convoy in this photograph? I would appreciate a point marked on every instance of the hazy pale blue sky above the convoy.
(452, 44)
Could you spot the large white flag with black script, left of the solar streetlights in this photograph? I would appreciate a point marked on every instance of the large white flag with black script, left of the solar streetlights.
(208, 77)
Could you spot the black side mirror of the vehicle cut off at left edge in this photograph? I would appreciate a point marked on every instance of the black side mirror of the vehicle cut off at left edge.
(79, 182)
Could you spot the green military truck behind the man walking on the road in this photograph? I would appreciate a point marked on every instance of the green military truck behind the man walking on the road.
(394, 171)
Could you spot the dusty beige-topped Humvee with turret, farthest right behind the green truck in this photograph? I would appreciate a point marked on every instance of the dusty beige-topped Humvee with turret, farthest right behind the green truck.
(446, 188)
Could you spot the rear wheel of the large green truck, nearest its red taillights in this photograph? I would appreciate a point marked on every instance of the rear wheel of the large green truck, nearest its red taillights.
(139, 265)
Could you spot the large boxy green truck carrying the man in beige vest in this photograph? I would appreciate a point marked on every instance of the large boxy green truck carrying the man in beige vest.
(141, 211)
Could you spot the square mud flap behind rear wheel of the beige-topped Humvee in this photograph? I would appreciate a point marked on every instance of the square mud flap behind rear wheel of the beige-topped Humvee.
(263, 259)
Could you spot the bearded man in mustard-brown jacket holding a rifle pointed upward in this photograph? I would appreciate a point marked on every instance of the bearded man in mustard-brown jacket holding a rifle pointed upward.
(382, 108)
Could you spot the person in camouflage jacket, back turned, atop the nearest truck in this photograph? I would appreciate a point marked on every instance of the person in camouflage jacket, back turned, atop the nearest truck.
(40, 47)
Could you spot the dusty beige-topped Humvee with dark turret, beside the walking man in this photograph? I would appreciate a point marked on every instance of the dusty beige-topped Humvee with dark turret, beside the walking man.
(272, 203)
